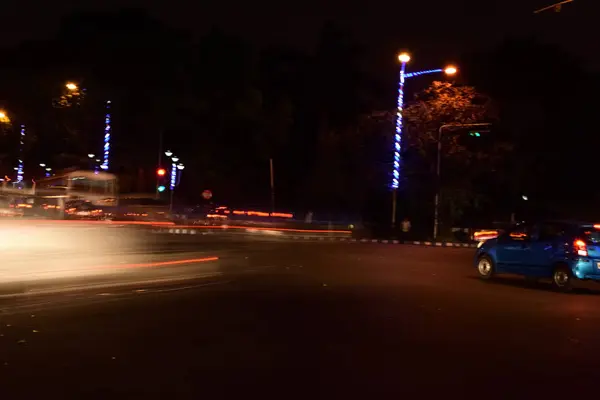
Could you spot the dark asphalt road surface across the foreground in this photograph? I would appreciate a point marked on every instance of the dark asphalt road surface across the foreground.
(305, 320)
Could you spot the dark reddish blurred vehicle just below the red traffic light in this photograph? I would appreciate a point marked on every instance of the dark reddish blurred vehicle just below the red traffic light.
(142, 207)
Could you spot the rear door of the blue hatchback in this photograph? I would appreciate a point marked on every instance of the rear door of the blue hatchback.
(544, 242)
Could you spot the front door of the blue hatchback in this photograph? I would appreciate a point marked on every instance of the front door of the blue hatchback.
(513, 249)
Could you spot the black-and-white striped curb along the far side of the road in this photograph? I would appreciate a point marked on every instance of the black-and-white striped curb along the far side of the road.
(187, 231)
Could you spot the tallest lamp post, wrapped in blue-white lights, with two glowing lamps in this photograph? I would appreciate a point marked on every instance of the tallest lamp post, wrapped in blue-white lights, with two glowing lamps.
(404, 58)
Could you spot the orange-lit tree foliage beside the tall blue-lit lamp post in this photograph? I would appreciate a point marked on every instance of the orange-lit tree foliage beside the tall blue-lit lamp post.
(466, 161)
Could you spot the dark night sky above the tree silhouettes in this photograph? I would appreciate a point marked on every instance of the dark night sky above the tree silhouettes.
(436, 32)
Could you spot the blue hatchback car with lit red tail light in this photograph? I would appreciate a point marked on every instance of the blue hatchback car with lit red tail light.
(563, 251)
